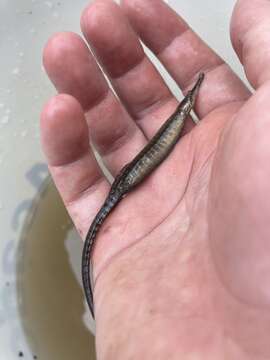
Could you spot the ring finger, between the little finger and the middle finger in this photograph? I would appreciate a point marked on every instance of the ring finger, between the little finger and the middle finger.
(74, 71)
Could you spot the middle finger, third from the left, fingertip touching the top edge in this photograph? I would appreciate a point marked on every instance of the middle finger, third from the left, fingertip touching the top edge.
(133, 76)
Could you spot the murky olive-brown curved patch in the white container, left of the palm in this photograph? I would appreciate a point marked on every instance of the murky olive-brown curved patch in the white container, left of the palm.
(50, 297)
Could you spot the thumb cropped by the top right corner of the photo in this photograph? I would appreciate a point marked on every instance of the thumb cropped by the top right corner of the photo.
(250, 37)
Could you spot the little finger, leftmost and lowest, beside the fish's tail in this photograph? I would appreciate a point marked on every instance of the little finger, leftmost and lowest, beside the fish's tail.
(71, 162)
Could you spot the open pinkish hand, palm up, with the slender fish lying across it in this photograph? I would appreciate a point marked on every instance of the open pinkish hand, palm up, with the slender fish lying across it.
(182, 266)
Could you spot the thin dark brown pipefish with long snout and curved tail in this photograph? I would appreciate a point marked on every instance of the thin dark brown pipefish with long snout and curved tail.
(134, 173)
